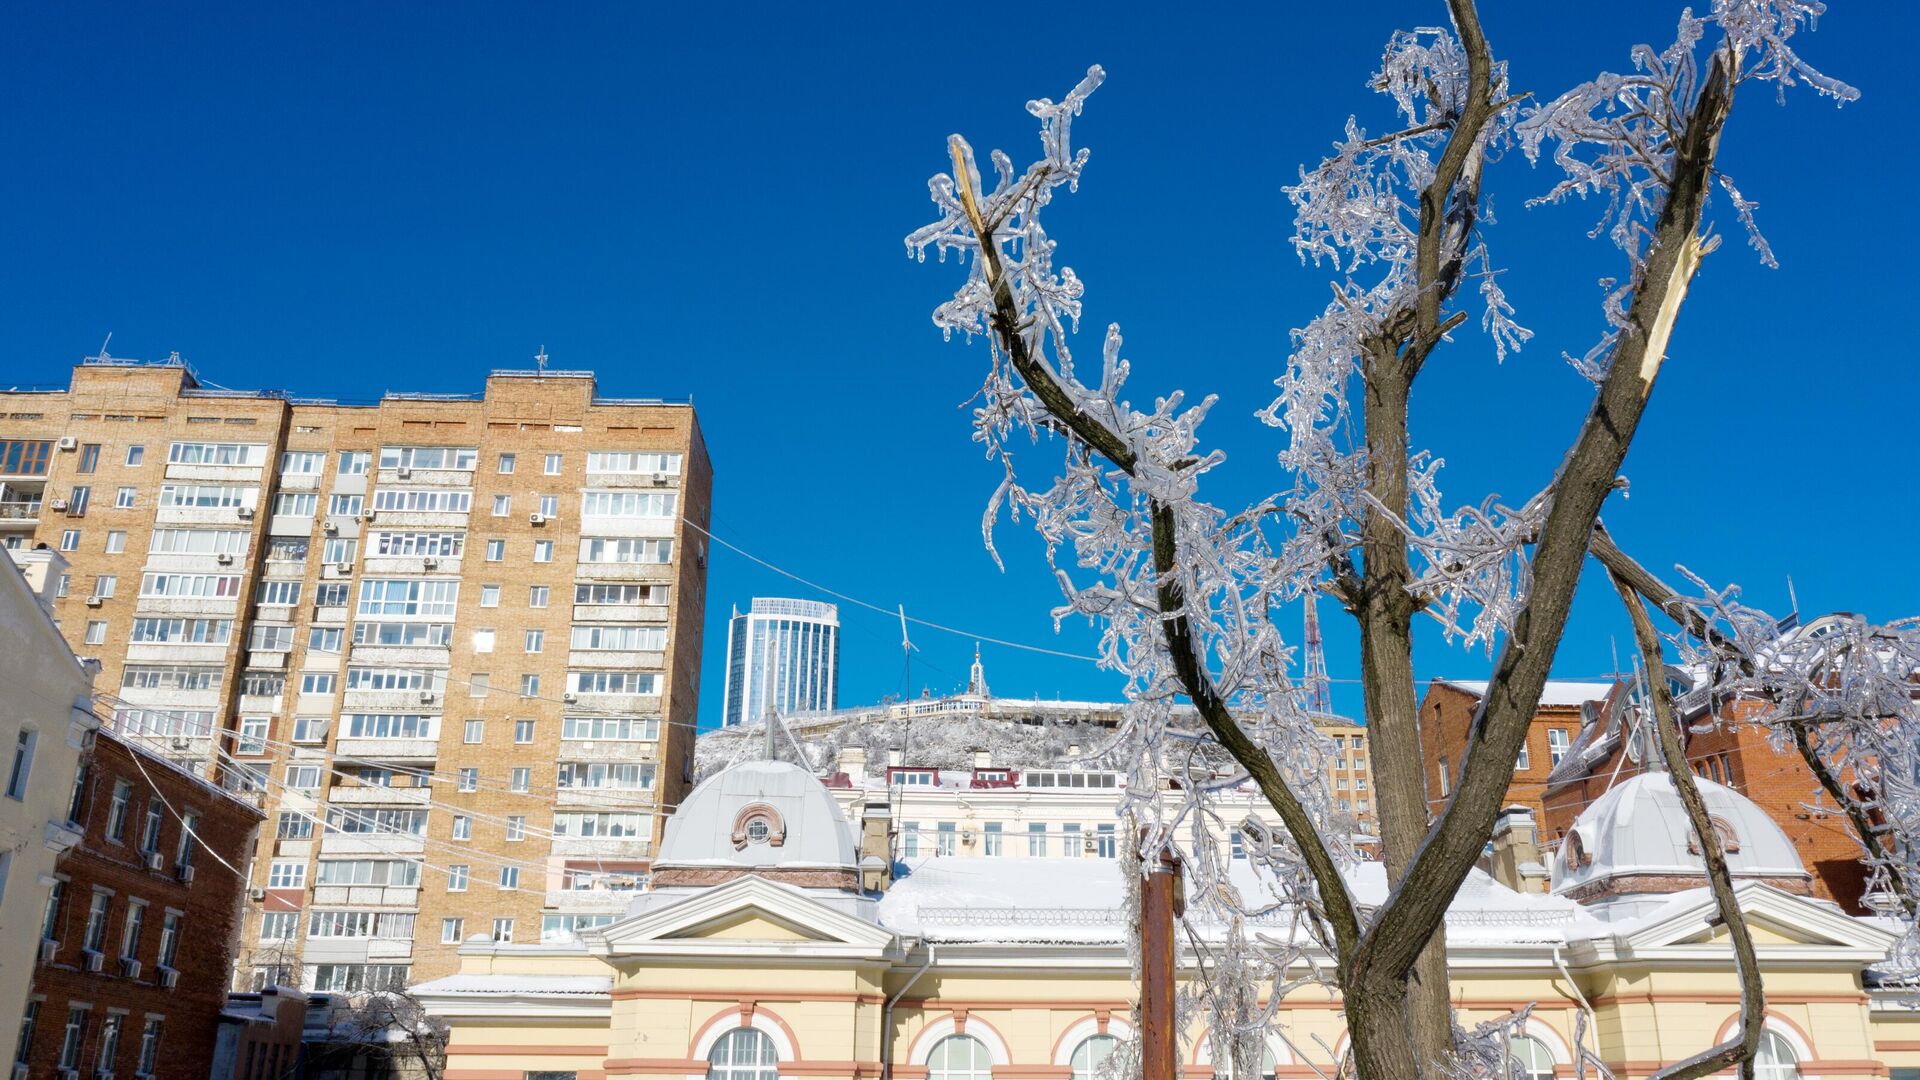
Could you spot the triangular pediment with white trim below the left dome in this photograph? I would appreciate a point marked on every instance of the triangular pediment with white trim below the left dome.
(748, 916)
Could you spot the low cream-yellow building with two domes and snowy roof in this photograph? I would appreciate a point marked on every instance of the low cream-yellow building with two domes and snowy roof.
(757, 956)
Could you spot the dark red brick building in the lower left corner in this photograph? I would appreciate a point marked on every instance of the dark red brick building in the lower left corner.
(141, 927)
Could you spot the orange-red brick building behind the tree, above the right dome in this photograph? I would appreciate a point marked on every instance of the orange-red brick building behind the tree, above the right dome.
(1587, 741)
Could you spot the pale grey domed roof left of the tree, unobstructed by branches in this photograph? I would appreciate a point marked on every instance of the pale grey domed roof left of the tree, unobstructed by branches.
(767, 818)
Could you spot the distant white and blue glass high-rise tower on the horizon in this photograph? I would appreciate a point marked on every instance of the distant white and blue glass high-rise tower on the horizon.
(782, 652)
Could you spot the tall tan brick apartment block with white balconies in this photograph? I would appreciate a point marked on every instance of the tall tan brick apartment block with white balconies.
(448, 641)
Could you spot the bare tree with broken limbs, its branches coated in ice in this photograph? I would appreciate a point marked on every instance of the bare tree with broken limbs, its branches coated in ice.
(1188, 591)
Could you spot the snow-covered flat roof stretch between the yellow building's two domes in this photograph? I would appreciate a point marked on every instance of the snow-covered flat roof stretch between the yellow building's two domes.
(1084, 902)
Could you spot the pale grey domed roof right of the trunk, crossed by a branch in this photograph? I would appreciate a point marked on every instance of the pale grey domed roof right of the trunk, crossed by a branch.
(1637, 841)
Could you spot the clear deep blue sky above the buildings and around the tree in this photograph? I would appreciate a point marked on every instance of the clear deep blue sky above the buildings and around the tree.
(709, 201)
